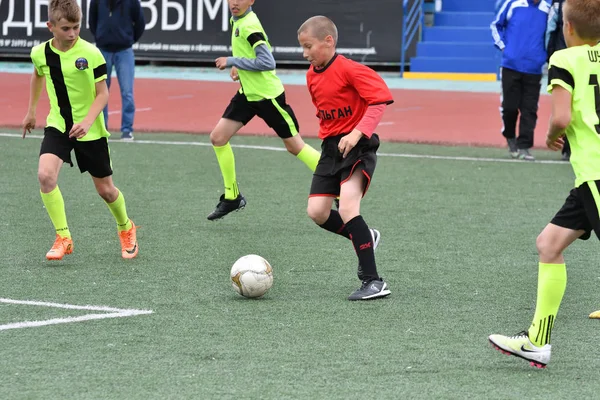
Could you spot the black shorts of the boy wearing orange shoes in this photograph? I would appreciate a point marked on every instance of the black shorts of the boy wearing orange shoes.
(92, 156)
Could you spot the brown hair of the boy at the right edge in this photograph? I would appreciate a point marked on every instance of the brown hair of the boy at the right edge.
(584, 15)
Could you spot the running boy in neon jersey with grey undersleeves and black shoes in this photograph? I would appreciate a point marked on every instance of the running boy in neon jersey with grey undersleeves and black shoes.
(261, 94)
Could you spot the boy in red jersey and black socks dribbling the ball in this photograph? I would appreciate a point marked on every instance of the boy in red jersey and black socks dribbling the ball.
(350, 99)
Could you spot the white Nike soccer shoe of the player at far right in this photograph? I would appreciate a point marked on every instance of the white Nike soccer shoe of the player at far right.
(519, 345)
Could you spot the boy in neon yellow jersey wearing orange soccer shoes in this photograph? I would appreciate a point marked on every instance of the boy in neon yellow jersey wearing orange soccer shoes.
(75, 74)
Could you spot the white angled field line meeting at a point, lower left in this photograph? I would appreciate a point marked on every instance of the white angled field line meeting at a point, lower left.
(109, 312)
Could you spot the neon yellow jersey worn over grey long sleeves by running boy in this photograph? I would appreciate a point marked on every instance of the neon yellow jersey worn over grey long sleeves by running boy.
(247, 33)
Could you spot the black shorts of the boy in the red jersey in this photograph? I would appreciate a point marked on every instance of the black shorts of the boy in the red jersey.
(333, 170)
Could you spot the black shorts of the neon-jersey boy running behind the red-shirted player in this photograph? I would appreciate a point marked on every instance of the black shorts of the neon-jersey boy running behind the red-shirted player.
(275, 112)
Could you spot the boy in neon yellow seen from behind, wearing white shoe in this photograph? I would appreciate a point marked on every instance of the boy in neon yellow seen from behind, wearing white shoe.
(574, 75)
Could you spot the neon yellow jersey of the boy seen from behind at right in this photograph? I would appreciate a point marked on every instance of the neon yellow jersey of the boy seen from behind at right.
(577, 69)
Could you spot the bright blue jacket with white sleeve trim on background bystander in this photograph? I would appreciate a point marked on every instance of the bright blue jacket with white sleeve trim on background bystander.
(519, 31)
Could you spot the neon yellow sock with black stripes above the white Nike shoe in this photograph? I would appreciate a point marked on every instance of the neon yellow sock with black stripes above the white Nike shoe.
(552, 281)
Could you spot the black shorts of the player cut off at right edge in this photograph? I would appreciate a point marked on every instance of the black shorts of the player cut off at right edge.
(580, 211)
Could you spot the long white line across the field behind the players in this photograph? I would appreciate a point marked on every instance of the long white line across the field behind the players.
(271, 148)
